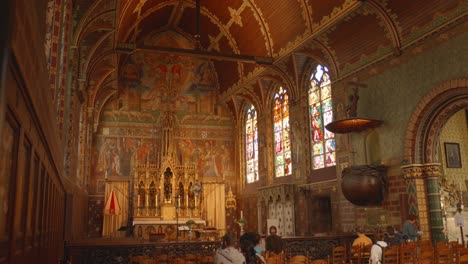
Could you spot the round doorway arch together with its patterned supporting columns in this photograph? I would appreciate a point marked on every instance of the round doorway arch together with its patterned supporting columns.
(422, 153)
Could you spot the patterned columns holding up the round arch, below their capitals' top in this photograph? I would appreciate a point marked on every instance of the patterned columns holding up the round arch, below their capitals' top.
(424, 198)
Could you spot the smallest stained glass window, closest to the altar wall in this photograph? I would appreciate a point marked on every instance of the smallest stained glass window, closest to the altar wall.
(251, 145)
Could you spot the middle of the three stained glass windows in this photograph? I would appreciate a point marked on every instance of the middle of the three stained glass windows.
(282, 143)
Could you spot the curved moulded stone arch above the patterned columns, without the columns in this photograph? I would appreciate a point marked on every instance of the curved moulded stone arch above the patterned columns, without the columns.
(430, 116)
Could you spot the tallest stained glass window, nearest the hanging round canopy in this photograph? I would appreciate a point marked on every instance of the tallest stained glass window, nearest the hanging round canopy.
(320, 114)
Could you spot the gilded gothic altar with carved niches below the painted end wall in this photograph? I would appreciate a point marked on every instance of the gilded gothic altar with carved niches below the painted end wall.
(165, 198)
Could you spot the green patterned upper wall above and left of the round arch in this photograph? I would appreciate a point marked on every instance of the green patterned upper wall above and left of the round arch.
(393, 95)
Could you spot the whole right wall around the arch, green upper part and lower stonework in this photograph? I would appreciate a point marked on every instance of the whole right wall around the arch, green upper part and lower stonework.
(392, 96)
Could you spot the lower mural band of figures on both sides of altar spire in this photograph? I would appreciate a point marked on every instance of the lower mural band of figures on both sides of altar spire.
(115, 156)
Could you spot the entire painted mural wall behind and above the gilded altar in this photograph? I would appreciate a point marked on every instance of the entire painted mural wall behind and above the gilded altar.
(154, 88)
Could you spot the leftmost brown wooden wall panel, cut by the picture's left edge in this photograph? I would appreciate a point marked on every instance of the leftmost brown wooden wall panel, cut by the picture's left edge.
(7, 152)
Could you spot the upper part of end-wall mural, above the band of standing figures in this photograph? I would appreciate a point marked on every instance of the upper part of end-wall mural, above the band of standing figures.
(151, 82)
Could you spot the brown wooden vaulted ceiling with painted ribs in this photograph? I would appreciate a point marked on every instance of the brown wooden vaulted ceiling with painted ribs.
(253, 42)
